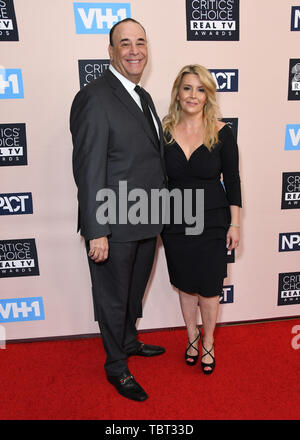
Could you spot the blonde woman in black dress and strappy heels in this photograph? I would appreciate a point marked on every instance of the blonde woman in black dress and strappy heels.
(199, 151)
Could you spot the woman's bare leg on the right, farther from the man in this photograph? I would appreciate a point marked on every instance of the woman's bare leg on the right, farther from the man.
(209, 308)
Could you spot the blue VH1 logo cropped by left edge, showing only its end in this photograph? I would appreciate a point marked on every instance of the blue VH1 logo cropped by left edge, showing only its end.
(11, 84)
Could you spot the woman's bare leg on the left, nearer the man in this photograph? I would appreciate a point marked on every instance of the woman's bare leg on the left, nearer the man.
(189, 308)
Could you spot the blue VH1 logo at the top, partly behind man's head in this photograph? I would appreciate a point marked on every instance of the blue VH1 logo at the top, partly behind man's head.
(99, 18)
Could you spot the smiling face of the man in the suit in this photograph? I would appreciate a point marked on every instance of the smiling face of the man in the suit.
(129, 54)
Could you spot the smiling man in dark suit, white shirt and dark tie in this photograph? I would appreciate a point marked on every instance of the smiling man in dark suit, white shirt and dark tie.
(115, 140)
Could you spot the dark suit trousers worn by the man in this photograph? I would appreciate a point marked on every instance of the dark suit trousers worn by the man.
(118, 286)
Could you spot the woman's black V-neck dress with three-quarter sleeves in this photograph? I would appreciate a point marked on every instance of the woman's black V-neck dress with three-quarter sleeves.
(198, 263)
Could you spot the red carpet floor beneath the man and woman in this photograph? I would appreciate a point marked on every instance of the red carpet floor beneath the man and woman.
(256, 378)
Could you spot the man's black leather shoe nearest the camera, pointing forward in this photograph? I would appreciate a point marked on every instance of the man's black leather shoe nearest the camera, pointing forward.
(127, 386)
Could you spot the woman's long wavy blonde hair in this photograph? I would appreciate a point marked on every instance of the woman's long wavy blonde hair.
(210, 111)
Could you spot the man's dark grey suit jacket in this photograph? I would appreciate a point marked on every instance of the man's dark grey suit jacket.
(113, 142)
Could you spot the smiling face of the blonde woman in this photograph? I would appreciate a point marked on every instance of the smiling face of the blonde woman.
(191, 95)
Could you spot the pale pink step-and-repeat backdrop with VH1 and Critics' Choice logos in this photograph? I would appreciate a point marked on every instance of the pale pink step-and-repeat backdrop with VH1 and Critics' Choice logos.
(51, 49)
